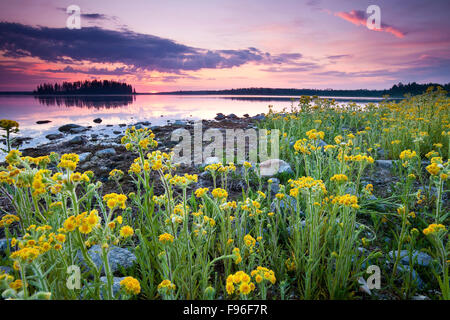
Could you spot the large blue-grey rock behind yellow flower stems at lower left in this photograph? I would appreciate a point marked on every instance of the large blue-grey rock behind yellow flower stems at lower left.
(117, 258)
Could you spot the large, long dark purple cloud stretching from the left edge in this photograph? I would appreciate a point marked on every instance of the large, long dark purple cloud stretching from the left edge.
(137, 50)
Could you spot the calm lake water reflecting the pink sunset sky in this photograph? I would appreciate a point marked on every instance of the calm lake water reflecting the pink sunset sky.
(115, 110)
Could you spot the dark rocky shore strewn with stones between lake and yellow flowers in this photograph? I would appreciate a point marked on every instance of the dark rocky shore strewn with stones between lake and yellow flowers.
(102, 152)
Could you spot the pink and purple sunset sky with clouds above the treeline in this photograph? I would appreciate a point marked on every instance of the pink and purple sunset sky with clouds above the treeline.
(215, 44)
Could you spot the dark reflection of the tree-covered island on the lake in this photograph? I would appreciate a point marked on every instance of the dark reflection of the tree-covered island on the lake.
(91, 101)
